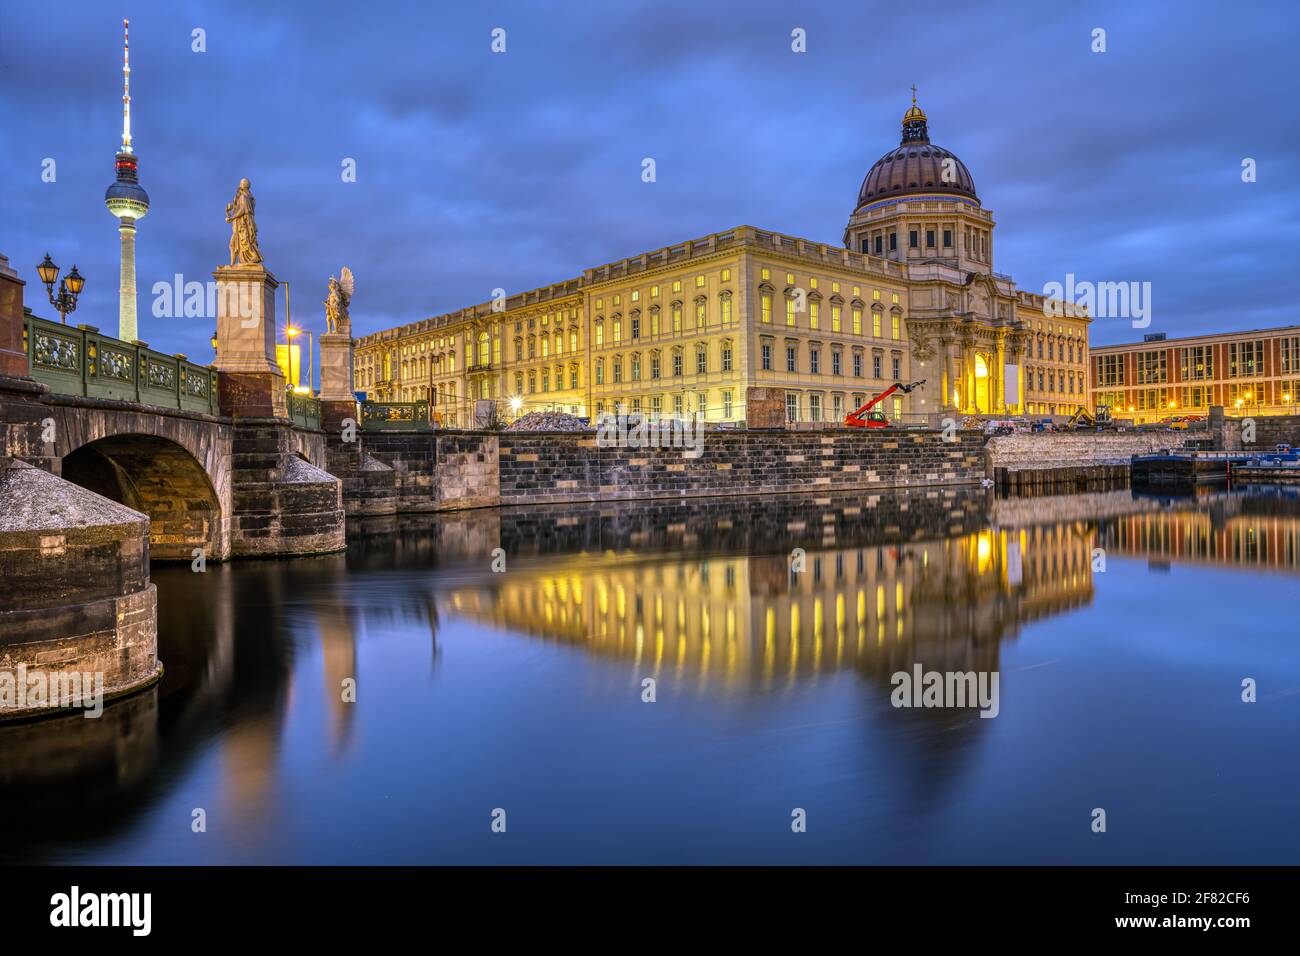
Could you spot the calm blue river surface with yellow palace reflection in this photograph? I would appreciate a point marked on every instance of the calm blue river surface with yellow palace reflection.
(523, 691)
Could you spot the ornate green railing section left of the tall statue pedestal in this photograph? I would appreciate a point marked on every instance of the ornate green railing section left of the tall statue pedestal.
(81, 361)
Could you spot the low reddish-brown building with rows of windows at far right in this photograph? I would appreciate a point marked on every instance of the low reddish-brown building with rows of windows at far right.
(1247, 373)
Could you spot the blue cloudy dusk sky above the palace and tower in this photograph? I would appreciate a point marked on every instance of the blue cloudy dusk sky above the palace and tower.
(478, 171)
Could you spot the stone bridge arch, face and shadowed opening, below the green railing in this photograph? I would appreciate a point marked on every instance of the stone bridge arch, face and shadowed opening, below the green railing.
(175, 469)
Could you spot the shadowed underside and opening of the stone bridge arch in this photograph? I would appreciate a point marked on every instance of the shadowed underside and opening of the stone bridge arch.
(163, 481)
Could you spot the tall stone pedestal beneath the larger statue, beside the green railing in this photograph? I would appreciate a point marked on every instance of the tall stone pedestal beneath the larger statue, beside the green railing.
(252, 384)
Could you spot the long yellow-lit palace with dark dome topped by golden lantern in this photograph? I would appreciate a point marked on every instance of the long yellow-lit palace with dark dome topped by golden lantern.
(686, 330)
